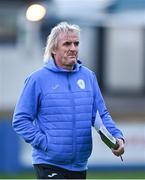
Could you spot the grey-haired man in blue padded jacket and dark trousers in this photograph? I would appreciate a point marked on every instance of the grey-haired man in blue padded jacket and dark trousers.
(57, 108)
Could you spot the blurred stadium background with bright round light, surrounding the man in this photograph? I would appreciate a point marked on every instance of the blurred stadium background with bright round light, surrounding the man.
(112, 45)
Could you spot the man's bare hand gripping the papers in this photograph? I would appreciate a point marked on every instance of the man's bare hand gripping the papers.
(120, 150)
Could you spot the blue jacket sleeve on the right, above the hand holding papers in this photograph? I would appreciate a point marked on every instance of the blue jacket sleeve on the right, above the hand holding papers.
(99, 105)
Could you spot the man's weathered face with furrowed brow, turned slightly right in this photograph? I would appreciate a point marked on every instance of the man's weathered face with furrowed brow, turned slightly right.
(66, 52)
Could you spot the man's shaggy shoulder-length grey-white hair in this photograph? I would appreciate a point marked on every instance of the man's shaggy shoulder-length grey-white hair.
(52, 39)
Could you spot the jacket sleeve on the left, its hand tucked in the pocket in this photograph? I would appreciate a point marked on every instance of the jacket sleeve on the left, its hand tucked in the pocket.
(25, 114)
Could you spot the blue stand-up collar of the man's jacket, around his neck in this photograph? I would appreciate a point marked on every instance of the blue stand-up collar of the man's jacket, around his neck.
(53, 67)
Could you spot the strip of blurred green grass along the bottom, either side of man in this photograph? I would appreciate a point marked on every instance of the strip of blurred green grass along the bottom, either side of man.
(134, 174)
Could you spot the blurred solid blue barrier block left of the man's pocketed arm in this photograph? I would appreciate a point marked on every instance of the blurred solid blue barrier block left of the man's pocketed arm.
(9, 148)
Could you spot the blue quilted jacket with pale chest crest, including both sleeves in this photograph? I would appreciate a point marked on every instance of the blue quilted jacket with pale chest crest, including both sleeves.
(55, 113)
